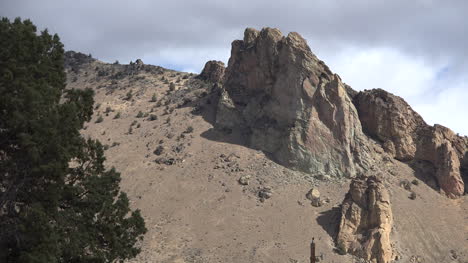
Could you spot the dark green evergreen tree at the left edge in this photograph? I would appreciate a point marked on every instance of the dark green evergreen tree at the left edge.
(58, 203)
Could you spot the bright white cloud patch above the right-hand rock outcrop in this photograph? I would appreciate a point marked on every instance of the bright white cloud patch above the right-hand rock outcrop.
(441, 100)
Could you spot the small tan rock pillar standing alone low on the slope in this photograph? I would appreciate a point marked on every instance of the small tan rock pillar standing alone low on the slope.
(366, 221)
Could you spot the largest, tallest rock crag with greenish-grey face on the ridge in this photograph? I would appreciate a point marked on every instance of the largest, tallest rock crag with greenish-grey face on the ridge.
(290, 105)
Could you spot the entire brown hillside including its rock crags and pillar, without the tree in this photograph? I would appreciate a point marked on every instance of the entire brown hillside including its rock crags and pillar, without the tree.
(221, 163)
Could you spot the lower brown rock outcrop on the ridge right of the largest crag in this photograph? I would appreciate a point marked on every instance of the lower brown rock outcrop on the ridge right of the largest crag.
(404, 134)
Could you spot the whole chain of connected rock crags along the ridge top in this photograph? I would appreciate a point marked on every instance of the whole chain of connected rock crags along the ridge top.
(287, 103)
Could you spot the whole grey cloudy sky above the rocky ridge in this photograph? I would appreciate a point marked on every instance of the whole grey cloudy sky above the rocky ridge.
(415, 49)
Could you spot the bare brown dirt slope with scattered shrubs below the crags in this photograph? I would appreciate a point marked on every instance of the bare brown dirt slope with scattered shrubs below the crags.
(183, 175)
